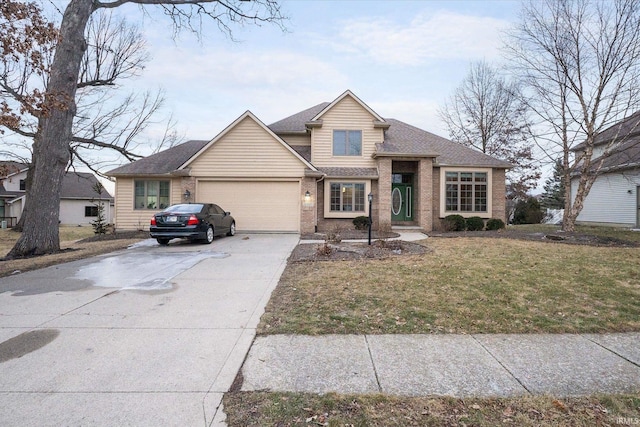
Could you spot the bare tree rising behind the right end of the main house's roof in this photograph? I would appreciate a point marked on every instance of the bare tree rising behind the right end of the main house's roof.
(486, 112)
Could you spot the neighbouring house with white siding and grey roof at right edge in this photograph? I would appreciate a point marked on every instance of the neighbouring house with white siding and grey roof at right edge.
(614, 198)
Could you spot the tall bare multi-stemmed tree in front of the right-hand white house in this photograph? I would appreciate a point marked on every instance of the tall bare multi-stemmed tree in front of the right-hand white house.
(580, 62)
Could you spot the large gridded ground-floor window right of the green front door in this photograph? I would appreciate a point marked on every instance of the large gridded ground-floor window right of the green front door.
(466, 192)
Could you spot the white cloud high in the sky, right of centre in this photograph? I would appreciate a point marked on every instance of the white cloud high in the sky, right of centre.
(441, 35)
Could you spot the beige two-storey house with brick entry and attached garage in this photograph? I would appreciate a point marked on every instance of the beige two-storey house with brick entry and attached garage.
(314, 170)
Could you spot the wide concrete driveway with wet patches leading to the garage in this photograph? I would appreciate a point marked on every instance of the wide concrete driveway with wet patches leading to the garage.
(148, 336)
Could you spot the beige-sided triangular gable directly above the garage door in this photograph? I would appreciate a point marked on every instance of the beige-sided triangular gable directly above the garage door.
(247, 149)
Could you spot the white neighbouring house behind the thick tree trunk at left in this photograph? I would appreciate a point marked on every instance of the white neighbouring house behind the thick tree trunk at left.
(78, 199)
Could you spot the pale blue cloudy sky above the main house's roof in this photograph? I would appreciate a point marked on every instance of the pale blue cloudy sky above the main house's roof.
(403, 58)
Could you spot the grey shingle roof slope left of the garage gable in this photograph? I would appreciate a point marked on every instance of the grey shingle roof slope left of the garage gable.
(163, 162)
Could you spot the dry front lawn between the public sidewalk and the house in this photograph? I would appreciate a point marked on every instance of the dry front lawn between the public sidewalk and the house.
(465, 285)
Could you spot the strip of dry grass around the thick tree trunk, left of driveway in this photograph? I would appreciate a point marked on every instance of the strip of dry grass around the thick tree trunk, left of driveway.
(70, 242)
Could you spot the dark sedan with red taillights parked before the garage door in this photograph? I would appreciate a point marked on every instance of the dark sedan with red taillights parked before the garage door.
(193, 221)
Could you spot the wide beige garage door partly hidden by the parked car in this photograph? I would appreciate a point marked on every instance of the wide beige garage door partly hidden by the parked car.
(256, 205)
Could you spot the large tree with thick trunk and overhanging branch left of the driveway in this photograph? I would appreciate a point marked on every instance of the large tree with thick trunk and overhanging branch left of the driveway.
(52, 142)
